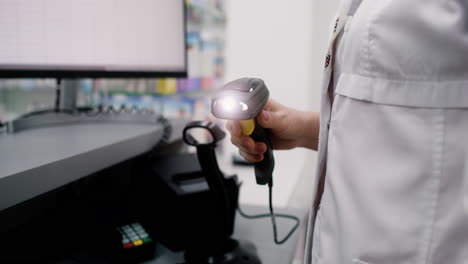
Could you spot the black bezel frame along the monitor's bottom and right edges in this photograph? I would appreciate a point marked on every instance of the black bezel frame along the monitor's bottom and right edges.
(76, 73)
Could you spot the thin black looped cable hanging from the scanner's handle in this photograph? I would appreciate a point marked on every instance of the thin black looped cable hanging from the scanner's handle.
(273, 217)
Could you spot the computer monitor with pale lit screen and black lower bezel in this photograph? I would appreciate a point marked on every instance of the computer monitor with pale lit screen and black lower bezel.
(92, 38)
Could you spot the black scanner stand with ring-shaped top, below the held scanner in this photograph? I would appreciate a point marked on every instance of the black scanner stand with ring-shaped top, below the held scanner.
(222, 249)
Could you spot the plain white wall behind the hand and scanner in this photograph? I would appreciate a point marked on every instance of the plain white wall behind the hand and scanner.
(283, 43)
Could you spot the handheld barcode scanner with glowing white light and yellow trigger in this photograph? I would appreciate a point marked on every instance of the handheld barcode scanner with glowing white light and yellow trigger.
(243, 99)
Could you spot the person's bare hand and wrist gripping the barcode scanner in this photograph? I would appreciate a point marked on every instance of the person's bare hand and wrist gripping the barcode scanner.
(289, 127)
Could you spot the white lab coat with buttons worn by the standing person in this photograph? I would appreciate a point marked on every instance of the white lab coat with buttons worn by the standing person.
(394, 155)
